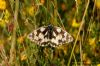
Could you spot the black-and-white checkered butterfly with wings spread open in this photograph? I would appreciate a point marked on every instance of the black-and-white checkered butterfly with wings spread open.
(50, 35)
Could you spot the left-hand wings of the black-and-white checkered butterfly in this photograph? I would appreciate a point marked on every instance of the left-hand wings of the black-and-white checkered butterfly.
(39, 36)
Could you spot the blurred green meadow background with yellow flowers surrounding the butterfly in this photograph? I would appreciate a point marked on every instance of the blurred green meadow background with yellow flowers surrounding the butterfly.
(81, 18)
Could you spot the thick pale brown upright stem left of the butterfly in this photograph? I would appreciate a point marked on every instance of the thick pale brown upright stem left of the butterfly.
(13, 44)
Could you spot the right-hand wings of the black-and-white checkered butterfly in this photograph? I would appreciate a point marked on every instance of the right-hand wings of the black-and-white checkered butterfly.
(60, 37)
